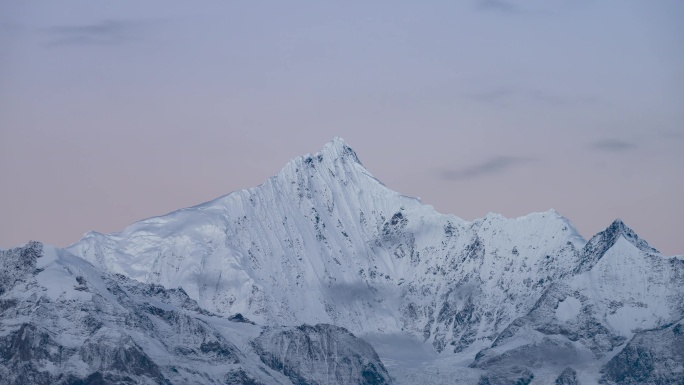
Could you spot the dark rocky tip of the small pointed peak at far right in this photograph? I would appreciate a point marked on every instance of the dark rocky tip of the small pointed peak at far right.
(600, 243)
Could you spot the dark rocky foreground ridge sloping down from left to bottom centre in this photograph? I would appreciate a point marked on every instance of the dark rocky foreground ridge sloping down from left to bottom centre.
(108, 329)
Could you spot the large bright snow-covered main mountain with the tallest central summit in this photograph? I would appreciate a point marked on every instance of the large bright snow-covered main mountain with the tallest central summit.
(325, 241)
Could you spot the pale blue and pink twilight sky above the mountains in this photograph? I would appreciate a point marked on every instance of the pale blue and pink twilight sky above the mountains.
(112, 112)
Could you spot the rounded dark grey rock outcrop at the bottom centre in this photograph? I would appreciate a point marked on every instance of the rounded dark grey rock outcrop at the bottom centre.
(321, 354)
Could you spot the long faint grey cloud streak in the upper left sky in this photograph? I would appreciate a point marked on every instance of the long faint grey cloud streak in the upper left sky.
(106, 32)
